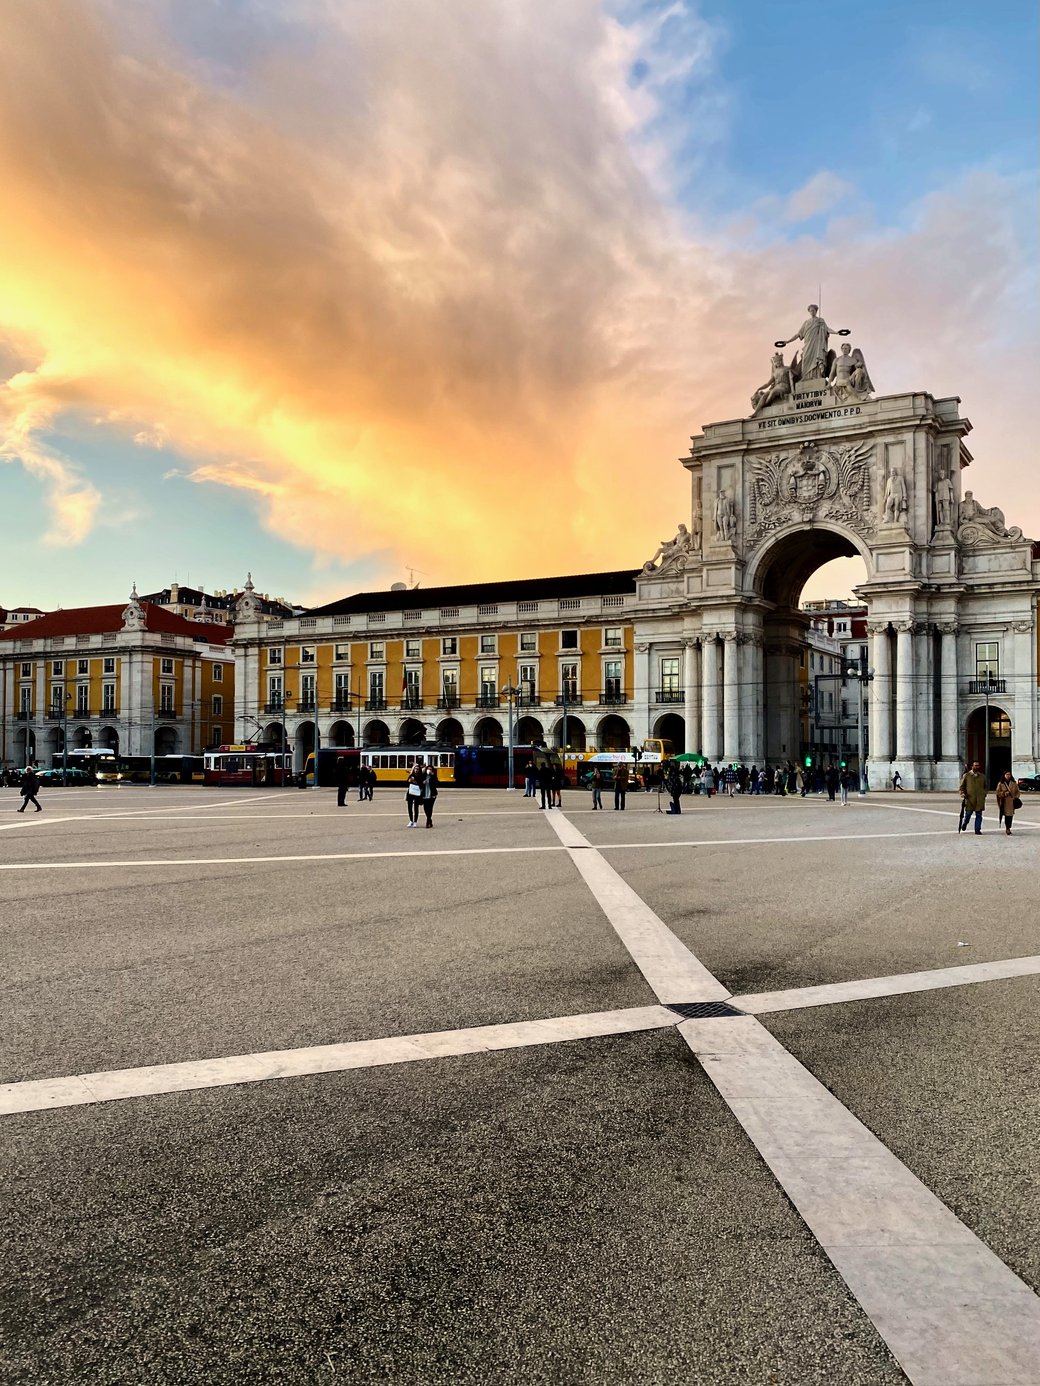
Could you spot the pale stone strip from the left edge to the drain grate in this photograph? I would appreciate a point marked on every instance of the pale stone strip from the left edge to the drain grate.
(84, 1089)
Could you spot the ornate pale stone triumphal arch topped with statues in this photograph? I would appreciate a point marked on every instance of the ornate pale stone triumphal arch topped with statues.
(824, 468)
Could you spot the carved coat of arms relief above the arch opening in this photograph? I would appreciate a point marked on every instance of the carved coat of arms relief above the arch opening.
(831, 483)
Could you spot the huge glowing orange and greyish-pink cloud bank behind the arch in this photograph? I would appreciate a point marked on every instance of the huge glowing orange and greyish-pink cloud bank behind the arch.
(410, 285)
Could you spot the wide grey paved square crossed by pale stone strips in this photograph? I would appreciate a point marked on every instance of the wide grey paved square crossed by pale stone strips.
(292, 1094)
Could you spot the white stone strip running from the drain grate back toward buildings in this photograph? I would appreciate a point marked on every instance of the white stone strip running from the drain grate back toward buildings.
(669, 967)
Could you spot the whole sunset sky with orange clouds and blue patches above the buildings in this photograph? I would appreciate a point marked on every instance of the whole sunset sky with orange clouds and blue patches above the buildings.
(332, 290)
